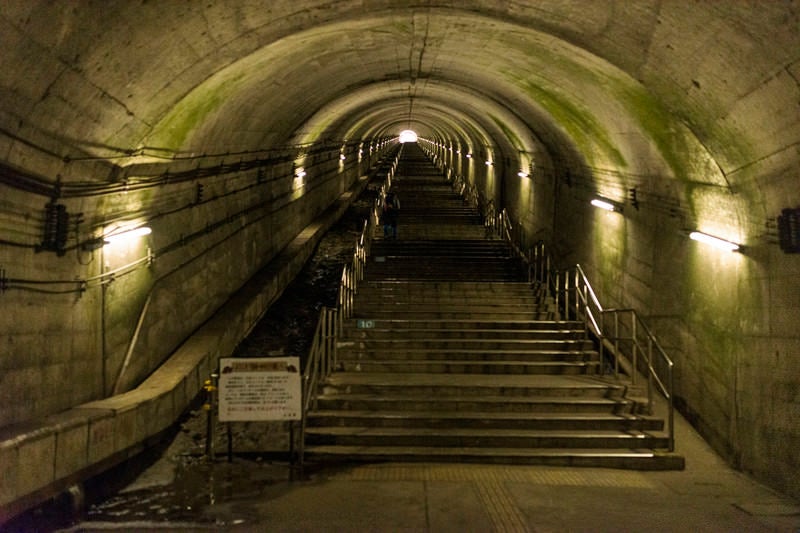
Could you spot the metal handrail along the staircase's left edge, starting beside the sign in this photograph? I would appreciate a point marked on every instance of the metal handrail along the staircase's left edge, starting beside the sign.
(322, 354)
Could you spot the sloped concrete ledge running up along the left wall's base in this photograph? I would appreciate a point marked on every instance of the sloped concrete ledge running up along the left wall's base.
(40, 460)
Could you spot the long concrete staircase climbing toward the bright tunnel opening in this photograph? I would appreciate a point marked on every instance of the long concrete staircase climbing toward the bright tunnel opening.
(452, 355)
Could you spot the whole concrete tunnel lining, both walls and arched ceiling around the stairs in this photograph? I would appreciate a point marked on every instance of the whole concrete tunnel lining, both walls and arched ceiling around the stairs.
(229, 135)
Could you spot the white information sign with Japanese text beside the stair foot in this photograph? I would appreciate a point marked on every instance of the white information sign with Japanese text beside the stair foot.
(260, 389)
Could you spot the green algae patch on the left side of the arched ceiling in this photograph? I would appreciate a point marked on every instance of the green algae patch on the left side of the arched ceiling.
(191, 113)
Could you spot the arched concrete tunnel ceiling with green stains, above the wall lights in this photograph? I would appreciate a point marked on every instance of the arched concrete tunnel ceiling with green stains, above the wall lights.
(704, 92)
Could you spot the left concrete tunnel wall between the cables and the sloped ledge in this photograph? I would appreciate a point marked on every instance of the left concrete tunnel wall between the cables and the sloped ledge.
(81, 341)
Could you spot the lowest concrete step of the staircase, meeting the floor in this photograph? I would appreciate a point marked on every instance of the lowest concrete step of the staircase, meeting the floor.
(633, 459)
